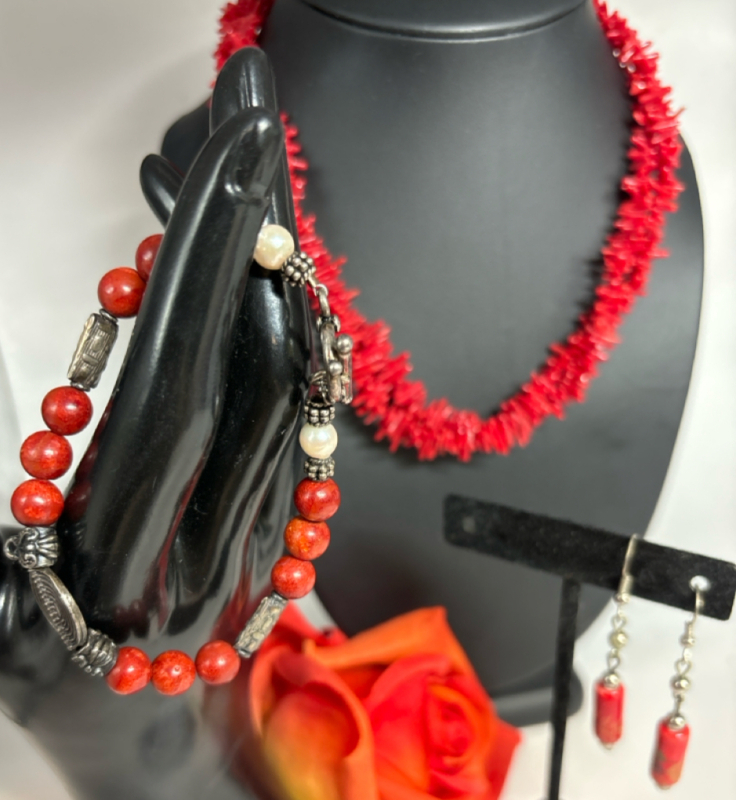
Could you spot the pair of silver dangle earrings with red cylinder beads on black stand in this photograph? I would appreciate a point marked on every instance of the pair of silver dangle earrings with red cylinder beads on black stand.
(673, 732)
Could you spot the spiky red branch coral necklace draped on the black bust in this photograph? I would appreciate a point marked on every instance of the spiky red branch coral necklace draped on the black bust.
(398, 406)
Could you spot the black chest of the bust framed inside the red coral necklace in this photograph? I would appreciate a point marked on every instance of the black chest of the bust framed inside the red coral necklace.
(454, 152)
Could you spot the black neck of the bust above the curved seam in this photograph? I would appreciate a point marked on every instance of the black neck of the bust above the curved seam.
(447, 19)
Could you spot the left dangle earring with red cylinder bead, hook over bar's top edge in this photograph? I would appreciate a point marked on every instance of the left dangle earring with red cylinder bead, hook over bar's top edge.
(609, 691)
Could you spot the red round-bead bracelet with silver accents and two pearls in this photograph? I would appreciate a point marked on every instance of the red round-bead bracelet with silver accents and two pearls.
(47, 455)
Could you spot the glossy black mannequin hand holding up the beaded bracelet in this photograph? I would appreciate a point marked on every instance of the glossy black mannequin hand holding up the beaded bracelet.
(176, 511)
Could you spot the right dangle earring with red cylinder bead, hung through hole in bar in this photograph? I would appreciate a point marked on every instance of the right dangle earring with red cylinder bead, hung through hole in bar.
(673, 731)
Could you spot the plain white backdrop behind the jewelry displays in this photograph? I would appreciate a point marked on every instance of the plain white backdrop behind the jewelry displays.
(72, 138)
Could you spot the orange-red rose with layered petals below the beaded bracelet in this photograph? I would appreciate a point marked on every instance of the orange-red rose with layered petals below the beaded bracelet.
(395, 713)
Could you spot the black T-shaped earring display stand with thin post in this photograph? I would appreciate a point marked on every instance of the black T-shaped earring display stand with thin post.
(584, 555)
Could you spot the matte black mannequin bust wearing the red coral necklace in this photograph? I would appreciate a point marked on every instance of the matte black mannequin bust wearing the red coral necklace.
(465, 157)
